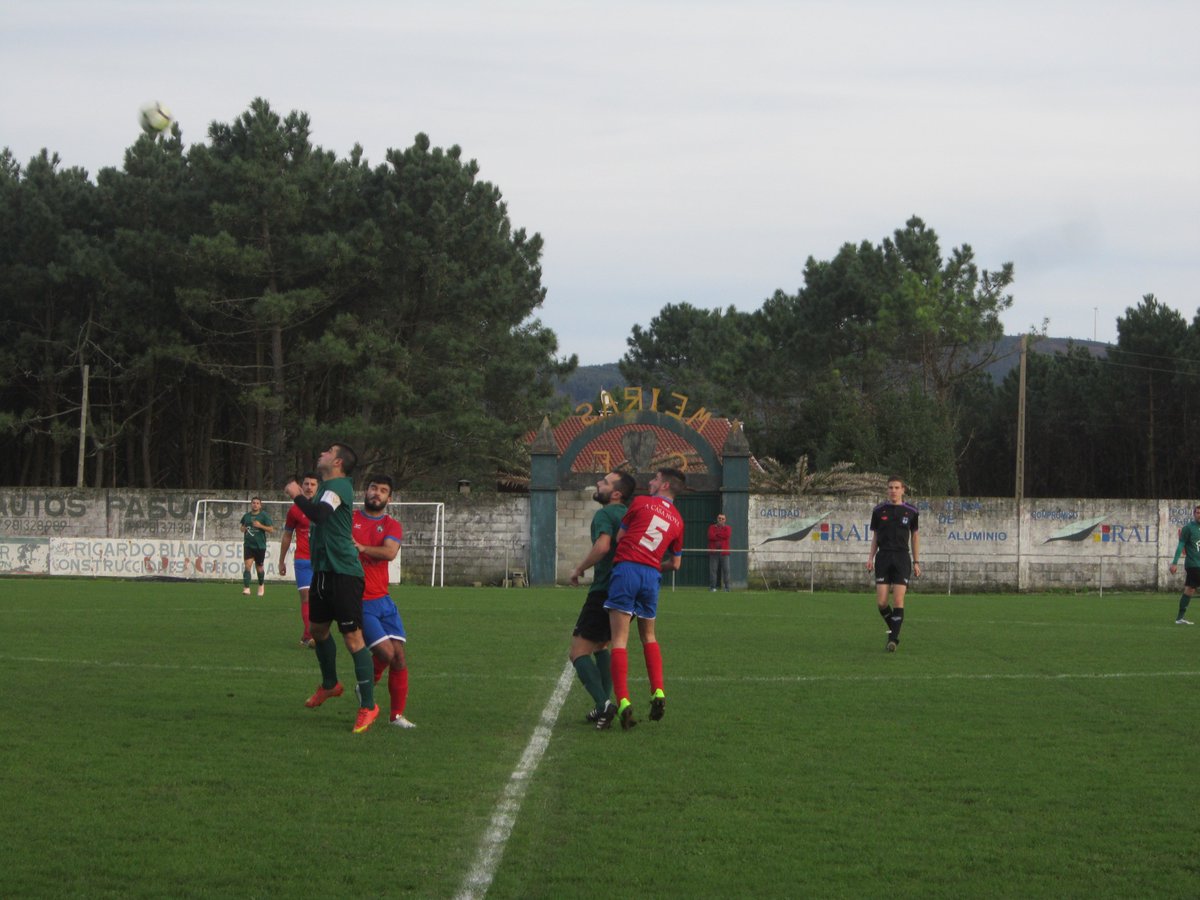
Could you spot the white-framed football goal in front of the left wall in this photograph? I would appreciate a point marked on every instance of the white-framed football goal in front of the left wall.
(424, 524)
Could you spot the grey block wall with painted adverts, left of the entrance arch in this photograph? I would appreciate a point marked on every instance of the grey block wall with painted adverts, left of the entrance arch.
(129, 533)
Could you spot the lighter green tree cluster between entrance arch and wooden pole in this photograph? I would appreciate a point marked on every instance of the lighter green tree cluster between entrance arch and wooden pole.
(866, 363)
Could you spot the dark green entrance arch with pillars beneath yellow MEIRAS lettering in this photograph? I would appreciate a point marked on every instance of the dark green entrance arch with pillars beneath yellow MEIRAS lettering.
(728, 475)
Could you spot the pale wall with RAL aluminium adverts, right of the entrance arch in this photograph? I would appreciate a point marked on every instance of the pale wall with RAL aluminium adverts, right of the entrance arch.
(975, 544)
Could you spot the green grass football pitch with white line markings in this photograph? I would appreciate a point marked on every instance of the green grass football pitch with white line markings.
(154, 743)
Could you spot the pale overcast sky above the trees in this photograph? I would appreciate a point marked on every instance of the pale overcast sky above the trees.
(694, 152)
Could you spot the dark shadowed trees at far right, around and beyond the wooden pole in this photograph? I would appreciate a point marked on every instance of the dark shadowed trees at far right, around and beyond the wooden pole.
(1113, 425)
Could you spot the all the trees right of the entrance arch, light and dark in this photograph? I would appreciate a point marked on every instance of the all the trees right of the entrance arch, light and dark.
(880, 361)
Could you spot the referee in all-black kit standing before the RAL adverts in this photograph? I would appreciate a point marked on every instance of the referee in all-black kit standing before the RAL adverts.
(892, 525)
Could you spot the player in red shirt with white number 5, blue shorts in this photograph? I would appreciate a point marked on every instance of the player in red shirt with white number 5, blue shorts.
(650, 531)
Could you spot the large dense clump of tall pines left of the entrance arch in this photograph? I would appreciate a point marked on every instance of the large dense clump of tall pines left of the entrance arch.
(245, 302)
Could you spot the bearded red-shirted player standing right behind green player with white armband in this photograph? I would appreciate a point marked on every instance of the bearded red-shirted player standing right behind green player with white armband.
(377, 538)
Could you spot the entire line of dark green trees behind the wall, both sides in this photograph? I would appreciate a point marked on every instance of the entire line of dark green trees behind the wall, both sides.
(231, 308)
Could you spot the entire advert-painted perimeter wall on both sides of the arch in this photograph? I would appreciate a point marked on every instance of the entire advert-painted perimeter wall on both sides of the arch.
(968, 544)
